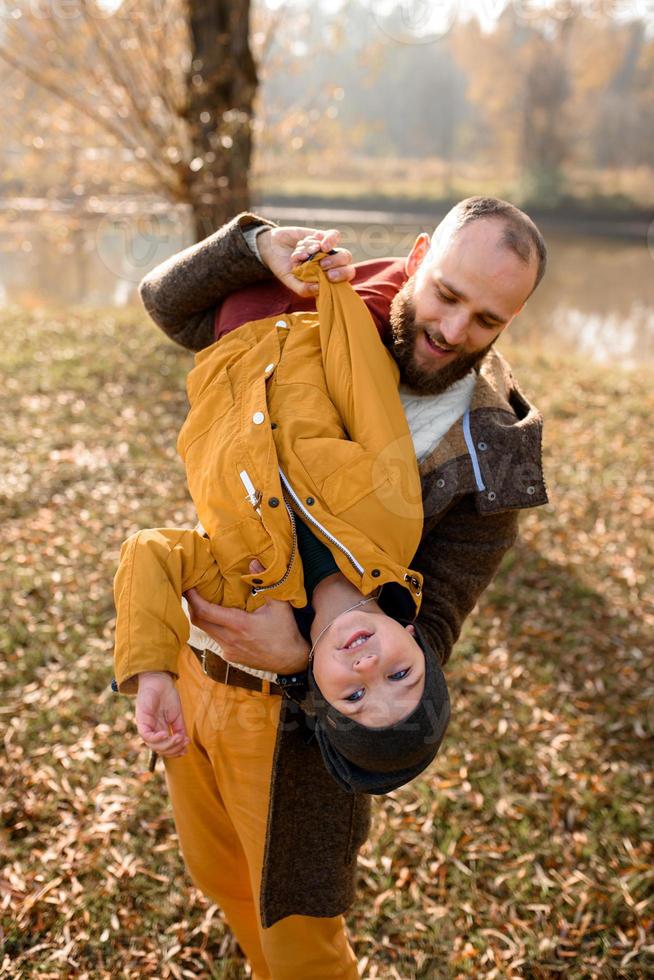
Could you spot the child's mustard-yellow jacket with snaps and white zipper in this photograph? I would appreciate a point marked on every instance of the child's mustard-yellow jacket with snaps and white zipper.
(294, 414)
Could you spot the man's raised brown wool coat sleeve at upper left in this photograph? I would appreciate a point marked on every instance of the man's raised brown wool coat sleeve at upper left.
(182, 294)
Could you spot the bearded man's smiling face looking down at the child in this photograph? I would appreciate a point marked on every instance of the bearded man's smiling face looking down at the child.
(461, 295)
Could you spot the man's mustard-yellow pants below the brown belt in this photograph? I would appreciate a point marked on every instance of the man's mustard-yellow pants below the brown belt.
(219, 792)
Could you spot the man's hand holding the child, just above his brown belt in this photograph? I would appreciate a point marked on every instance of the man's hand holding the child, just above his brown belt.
(267, 639)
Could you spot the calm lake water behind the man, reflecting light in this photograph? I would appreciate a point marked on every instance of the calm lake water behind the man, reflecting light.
(597, 298)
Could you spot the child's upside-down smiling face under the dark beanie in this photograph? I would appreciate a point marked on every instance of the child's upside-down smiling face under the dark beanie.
(370, 668)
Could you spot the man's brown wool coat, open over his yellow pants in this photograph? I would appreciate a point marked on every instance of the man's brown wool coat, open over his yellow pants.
(473, 486)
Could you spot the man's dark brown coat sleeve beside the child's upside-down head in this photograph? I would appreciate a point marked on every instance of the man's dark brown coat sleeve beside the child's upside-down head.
(458, 558)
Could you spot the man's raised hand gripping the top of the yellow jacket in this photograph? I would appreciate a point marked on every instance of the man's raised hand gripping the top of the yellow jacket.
(283, 248)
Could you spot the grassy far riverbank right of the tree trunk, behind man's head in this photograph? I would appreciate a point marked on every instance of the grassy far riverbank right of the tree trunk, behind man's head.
(609, 203)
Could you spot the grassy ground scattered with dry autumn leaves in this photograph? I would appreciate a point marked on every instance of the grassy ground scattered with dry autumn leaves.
(526, 852)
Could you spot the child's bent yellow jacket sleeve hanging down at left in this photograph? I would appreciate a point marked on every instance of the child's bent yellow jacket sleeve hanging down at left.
(156, 567)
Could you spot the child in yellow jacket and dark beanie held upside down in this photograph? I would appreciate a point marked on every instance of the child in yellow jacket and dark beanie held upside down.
(298, 454)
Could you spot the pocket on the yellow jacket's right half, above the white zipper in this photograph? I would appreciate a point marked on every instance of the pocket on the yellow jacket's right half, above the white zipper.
(342, 471)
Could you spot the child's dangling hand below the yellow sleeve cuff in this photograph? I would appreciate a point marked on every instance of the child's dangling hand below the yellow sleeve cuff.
(159, 718)
